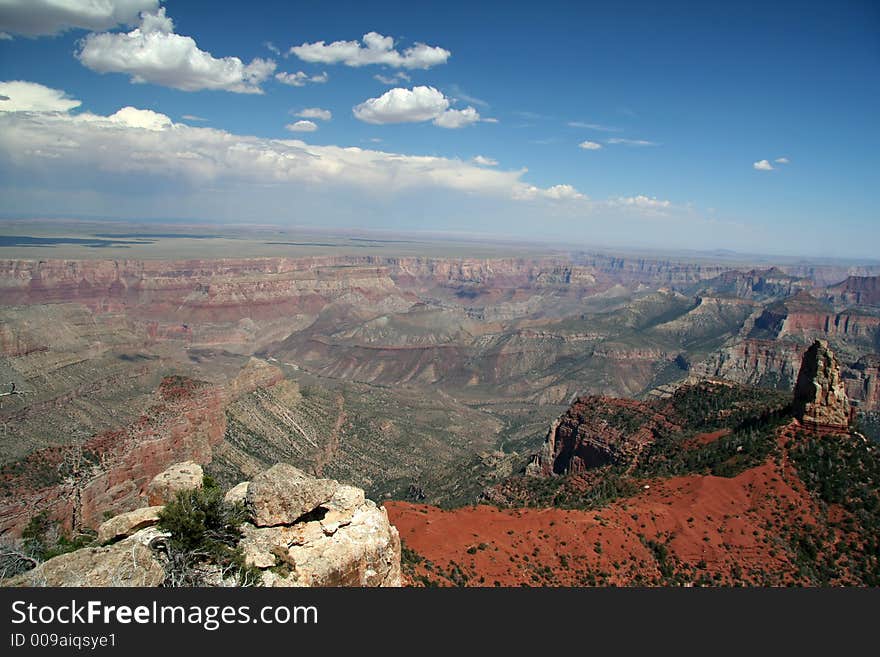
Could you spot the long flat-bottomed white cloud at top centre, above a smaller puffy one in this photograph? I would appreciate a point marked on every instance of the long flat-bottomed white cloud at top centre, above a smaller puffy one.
(375, 49)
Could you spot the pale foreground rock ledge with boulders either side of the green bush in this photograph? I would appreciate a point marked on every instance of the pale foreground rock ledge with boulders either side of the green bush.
(299, 531)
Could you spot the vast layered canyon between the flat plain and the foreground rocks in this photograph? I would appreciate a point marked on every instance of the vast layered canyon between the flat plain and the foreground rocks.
(421, 379)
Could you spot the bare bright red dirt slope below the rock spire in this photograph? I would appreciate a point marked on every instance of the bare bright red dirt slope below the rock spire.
(727, 528)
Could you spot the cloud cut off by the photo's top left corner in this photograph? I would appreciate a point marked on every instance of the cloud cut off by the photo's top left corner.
(44, 17)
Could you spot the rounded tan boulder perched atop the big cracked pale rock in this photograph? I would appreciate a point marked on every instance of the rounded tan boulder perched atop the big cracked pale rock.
(282, 494)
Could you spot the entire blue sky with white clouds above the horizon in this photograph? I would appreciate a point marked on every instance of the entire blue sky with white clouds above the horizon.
(743, 126)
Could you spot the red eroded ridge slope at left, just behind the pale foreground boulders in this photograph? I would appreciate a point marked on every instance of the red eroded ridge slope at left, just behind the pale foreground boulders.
(109, 472)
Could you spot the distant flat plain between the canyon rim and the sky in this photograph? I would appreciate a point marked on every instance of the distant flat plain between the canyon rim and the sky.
(40, 239)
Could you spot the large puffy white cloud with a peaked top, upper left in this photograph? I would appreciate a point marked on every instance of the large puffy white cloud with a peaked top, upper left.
(153, 53)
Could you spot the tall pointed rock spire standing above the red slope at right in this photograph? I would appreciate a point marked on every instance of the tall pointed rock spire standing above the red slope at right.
(819, 394)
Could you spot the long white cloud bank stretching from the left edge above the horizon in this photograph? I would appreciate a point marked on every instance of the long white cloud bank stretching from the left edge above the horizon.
(147, 144)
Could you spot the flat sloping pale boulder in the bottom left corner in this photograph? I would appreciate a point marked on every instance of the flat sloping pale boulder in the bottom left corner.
(126, 563)
